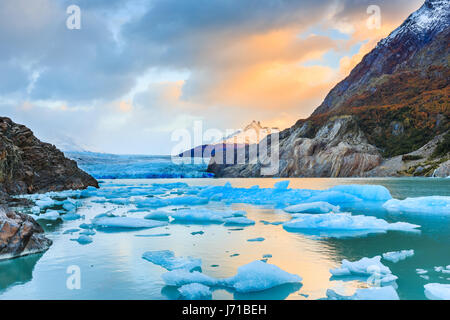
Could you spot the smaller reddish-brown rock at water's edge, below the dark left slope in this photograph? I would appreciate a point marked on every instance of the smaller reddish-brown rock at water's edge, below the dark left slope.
(20, 235)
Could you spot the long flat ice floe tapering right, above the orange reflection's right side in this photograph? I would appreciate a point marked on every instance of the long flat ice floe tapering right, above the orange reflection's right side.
(344, 222)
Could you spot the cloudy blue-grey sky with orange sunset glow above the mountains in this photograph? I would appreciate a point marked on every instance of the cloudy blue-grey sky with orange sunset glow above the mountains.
(139, 70)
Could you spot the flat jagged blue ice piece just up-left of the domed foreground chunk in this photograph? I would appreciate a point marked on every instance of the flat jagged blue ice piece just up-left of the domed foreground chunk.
(167, 260)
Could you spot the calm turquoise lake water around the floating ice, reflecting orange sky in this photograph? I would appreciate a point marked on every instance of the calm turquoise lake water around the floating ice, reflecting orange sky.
(111, 267)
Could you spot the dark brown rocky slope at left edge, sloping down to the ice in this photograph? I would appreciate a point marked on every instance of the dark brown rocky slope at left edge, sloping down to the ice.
(28, 165)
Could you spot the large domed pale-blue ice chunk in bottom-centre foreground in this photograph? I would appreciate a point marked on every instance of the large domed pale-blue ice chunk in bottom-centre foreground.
(259, 276)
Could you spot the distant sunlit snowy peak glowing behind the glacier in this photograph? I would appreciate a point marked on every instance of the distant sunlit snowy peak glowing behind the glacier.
(253, 133)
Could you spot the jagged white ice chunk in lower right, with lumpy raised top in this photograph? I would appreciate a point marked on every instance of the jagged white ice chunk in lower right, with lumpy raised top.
(365, 267)
